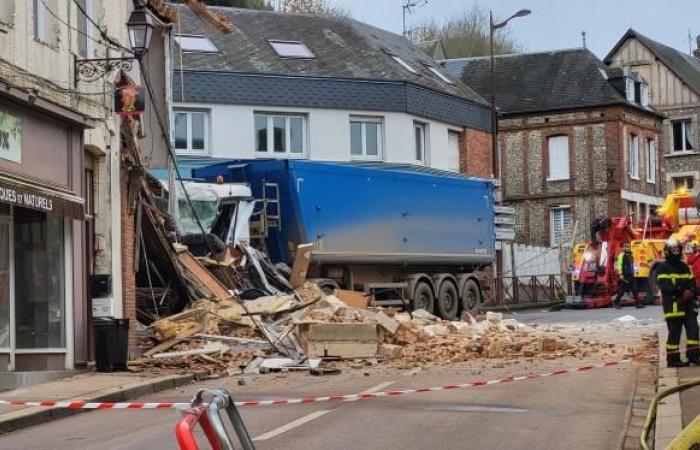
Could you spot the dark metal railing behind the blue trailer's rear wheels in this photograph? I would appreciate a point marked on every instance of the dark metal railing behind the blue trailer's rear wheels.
(529, 289)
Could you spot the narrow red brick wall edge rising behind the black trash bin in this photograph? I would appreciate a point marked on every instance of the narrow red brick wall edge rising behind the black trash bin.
(128, 275)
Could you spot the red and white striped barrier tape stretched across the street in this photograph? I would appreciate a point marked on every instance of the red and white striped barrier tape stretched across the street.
(304, 400)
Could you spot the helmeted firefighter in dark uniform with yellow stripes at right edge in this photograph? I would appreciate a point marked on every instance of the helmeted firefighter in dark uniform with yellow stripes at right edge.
(679, 304)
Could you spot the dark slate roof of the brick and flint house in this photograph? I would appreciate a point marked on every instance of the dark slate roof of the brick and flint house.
(528, 82)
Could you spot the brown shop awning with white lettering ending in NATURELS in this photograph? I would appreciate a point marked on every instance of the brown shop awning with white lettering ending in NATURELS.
(48, 200)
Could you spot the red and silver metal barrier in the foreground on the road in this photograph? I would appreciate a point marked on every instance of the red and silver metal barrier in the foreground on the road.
(208, 415)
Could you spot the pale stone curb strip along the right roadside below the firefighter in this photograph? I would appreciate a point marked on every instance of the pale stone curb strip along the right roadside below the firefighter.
(668, 413)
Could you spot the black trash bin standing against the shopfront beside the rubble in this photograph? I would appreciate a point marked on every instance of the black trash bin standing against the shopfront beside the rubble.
(111, 344)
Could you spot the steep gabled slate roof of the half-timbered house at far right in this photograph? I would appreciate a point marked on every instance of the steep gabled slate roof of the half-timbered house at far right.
(685, 66)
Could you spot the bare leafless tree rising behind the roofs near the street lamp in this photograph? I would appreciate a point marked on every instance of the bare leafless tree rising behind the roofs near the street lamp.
(465, 35)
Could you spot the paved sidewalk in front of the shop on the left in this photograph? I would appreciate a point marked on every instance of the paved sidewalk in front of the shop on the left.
(87, 387)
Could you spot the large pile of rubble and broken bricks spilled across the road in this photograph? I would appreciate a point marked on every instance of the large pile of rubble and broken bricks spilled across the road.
(304, 329)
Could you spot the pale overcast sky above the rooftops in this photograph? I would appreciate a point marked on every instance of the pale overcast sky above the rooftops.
(554, 24)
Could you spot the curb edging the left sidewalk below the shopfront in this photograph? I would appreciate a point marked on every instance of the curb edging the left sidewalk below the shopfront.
(32, 416)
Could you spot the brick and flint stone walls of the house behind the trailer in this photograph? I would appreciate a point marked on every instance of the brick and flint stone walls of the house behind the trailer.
(598, 166)
